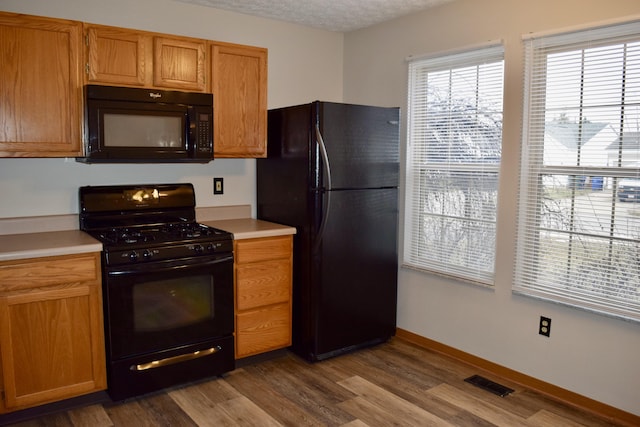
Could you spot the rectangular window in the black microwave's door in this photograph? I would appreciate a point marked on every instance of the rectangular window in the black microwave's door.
(133, 130)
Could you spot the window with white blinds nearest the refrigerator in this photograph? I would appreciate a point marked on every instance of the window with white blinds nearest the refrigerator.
(453, 160)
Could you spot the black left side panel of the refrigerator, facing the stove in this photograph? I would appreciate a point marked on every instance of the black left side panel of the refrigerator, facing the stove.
(284, 180)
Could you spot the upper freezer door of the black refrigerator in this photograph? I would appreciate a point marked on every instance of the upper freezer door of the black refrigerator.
(361, 145)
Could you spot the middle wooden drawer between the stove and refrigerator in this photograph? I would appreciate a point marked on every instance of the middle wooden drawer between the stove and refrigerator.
(262, 284)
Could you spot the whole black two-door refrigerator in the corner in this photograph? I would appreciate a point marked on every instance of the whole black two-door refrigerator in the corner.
(332, 172)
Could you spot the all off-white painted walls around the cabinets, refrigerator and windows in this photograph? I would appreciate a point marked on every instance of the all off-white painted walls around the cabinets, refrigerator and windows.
(368, 66)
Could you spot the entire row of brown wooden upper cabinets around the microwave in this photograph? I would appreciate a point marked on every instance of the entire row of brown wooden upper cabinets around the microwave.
(44, 63)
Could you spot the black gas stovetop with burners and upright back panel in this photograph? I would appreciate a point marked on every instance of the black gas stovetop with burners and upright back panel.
(151, 222)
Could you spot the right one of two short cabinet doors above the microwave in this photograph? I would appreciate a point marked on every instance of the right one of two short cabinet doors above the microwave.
(179, 63)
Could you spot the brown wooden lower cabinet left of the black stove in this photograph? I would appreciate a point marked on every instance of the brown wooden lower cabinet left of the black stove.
(51, 330)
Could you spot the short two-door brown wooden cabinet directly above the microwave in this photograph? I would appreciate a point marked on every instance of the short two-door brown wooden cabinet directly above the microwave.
(118, 56)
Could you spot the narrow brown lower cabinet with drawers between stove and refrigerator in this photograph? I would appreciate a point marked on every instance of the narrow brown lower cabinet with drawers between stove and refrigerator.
(263, 280)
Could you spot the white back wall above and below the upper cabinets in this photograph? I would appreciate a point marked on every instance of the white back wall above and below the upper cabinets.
(304, 65)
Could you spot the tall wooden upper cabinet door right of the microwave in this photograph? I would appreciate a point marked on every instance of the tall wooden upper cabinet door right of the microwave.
(239, 86)
